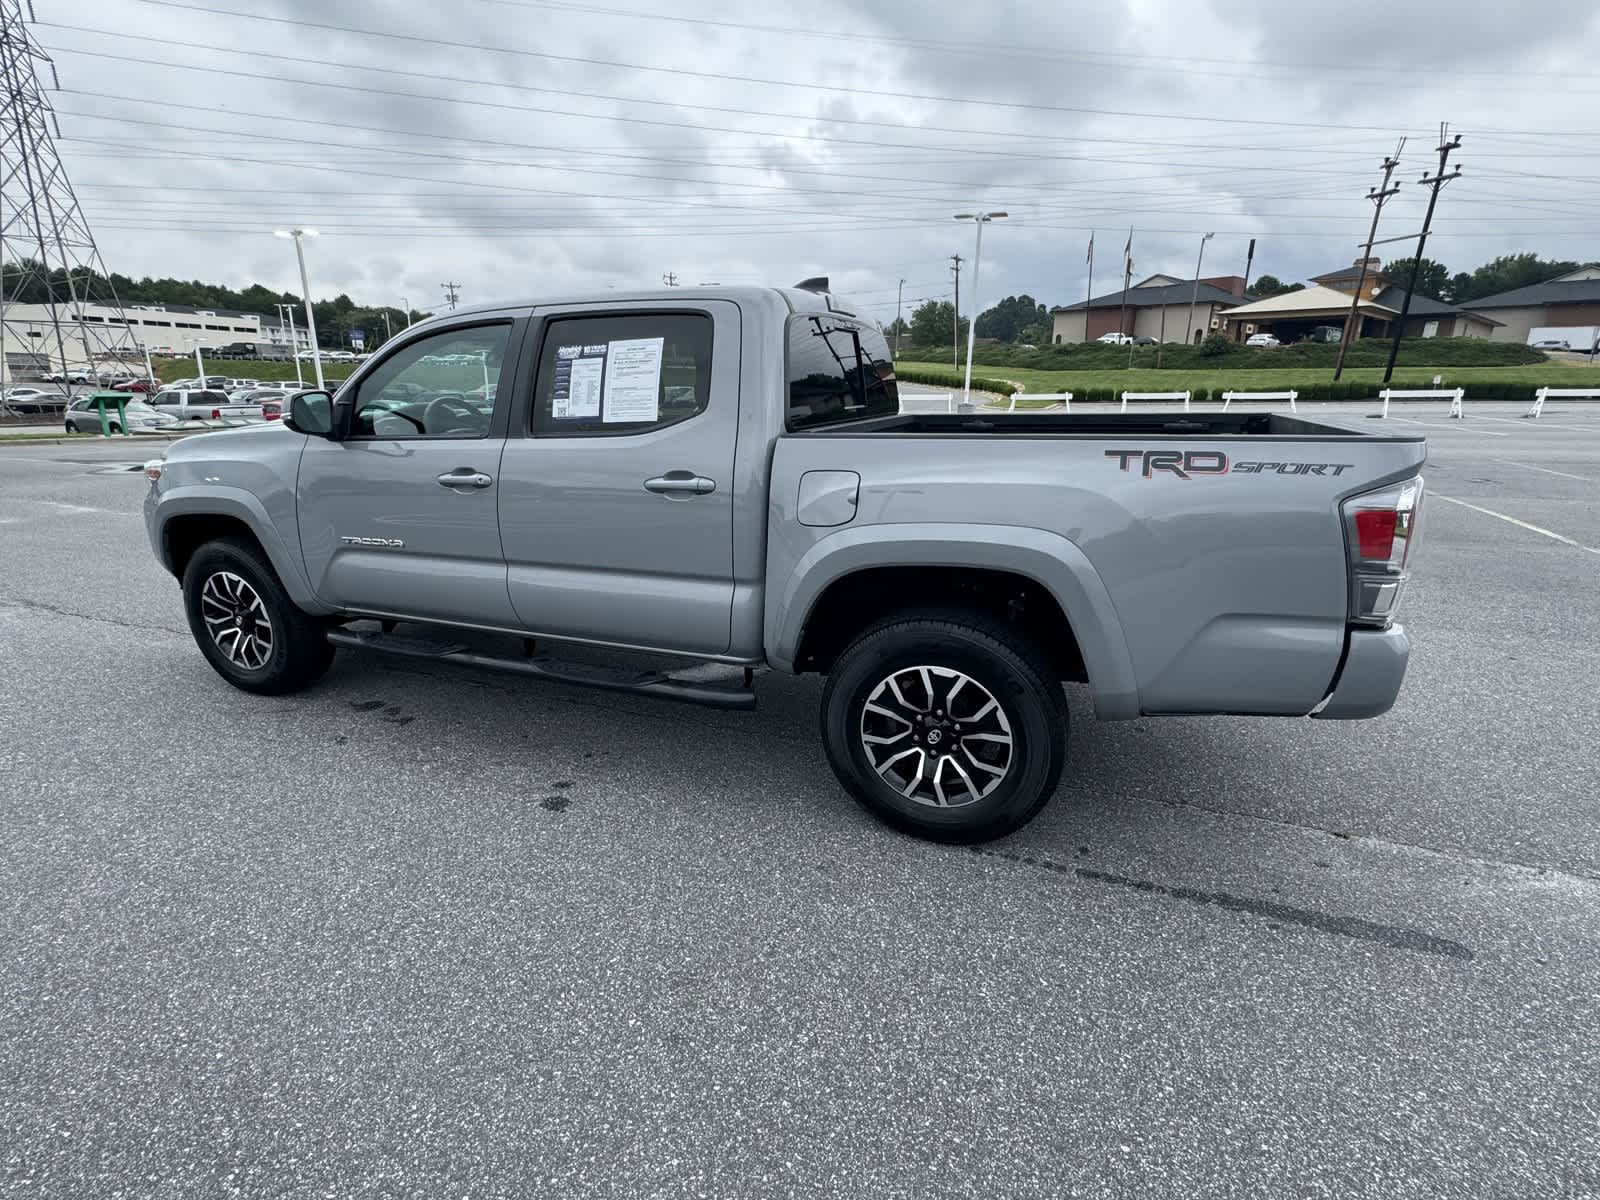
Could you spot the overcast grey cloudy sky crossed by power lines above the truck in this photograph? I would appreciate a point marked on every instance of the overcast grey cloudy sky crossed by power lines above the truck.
(534, 148)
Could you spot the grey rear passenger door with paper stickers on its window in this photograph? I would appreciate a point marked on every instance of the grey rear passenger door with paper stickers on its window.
(617, 510)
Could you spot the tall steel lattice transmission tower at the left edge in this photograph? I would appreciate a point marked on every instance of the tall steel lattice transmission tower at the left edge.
(52, 274)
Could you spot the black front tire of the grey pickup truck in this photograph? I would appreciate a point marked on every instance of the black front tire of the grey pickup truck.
(298, 652)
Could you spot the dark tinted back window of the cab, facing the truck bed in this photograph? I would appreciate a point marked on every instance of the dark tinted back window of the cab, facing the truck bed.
(839, 370)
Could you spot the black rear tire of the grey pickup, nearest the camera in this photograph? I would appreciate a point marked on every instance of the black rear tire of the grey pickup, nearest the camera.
(953, 644)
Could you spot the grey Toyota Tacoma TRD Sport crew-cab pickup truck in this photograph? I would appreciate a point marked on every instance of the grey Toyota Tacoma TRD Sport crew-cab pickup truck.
(726, 478)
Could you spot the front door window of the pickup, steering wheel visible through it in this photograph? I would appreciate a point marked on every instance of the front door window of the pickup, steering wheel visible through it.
(439, 386)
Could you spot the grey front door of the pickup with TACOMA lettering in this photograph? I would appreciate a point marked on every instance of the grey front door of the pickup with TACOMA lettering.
(401, 518)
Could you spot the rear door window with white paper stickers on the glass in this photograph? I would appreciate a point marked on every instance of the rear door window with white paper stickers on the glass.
(623, 375)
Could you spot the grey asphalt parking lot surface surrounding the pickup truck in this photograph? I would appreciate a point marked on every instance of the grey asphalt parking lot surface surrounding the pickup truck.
(433, 934)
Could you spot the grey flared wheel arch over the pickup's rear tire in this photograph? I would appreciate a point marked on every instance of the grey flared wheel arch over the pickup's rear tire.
(857, 577)
